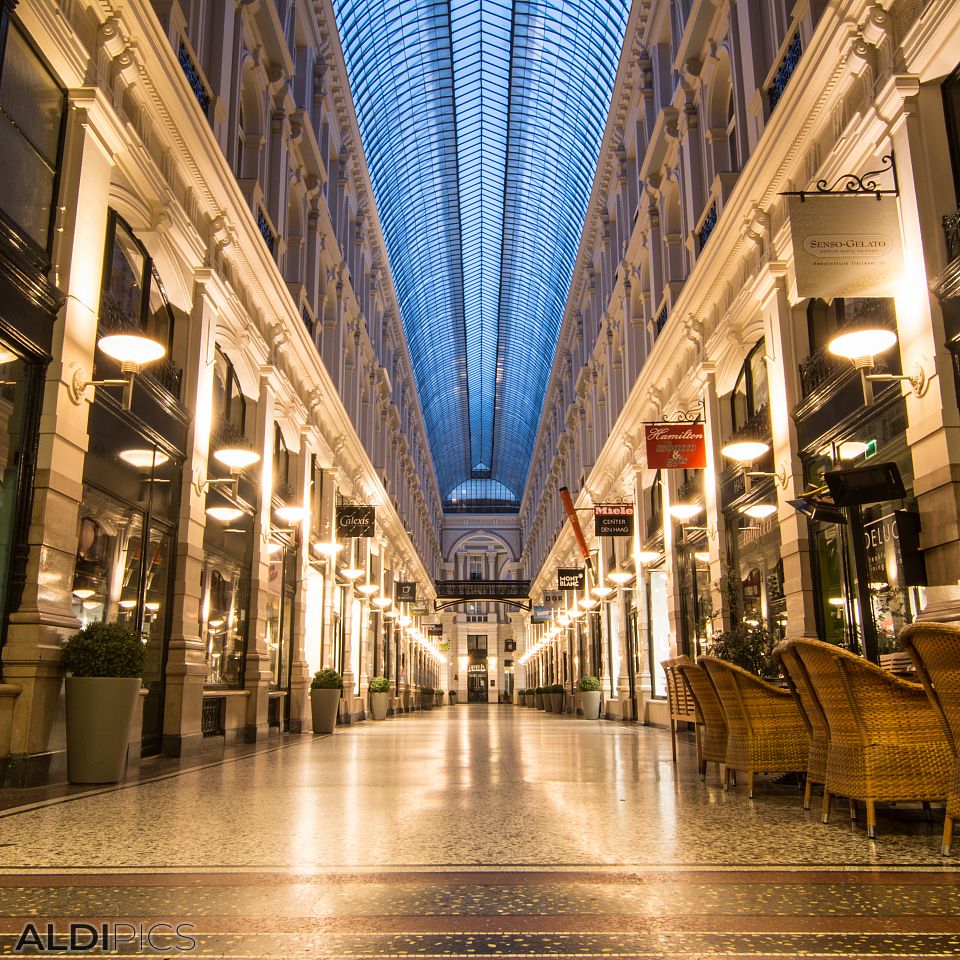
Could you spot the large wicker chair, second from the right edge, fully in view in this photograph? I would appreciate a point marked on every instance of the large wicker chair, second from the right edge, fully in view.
(886, 743)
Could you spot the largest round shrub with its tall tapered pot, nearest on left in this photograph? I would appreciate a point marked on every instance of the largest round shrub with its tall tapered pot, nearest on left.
(105, 663)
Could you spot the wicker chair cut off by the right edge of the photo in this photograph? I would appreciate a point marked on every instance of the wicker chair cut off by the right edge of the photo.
(935, 651)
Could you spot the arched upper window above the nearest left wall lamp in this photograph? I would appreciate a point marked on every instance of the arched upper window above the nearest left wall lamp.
(133, 295)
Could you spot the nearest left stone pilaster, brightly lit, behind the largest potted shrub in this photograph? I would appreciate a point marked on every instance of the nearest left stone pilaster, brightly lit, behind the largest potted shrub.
(44, 618)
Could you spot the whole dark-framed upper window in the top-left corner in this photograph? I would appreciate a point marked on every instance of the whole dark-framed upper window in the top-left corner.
(31, 127)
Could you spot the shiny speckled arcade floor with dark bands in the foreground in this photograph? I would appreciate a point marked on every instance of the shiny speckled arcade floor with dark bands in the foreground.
(474, 830)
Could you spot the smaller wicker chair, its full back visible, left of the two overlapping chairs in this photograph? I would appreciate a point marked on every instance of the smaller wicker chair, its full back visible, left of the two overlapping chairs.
(765, 732)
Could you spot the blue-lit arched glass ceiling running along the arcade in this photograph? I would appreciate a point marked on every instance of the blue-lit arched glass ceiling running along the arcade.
(481, 123)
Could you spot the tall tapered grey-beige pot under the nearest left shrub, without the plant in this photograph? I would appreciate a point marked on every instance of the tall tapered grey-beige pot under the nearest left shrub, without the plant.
(99, 713)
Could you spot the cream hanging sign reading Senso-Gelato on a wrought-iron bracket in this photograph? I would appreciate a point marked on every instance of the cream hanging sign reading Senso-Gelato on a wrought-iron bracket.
(846, 246)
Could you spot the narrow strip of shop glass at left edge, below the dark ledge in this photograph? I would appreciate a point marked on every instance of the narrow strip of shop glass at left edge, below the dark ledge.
(15, 387)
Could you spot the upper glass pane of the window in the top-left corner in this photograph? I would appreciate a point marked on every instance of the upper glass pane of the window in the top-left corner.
(30, 97)
